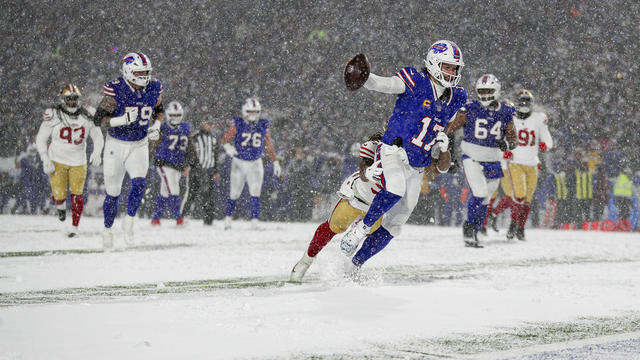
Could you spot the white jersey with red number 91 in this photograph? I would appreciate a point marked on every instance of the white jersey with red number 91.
(531, 132)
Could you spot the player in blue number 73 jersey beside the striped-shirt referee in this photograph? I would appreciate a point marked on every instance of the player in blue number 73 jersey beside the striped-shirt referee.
(170, 162)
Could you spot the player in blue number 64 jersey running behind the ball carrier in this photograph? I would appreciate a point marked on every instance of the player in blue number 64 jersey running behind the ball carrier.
(488, 131)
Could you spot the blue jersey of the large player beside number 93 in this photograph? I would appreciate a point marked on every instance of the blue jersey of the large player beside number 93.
(126, 97)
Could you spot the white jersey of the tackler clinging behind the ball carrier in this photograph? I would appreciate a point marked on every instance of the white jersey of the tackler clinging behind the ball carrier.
(361, 193)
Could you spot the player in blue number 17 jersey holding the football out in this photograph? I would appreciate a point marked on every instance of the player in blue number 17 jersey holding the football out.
(427, 100)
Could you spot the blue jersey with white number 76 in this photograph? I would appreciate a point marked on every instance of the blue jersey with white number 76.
(250, 137)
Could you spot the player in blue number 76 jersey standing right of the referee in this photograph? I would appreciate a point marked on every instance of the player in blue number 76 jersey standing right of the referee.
(250, 136)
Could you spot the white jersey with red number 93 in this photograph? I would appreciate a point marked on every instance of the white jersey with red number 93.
(68, 136)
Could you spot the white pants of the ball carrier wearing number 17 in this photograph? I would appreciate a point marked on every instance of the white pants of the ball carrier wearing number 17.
(401, 179)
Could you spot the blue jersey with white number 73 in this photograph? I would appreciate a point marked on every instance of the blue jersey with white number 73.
(173, 146)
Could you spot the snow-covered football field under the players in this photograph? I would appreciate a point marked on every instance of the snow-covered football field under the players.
(201, 293)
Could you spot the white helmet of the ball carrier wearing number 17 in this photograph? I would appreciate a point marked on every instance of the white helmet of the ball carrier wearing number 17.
(444, 51)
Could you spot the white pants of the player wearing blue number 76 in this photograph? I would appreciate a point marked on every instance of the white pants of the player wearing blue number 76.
(250, 172)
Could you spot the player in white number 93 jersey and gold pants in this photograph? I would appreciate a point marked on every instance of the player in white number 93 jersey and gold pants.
(65, 159)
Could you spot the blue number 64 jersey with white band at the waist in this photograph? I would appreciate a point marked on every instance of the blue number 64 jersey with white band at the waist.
(483, 129)
